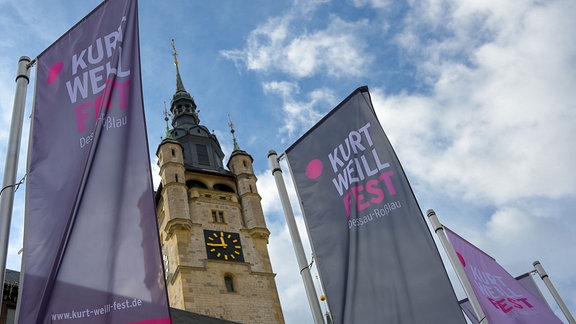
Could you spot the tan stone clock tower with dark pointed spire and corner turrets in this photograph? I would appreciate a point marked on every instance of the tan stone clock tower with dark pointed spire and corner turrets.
(212, 228)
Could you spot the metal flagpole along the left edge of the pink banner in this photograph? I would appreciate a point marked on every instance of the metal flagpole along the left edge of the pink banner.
(439, 229)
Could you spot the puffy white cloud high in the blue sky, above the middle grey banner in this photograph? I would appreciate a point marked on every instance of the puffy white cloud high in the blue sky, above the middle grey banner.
(278, 45)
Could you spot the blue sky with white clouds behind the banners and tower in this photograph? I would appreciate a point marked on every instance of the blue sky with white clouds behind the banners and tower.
(477, 98)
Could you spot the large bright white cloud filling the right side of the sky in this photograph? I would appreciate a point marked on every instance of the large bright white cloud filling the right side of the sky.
(500, 129)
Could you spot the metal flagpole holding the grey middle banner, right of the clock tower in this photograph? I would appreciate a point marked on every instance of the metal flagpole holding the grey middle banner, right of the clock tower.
(296, 241)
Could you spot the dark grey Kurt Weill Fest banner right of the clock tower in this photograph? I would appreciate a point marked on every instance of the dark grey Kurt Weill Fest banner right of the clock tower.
(376, 257)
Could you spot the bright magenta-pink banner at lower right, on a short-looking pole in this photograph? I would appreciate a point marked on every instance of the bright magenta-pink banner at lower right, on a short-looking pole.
(502, 298)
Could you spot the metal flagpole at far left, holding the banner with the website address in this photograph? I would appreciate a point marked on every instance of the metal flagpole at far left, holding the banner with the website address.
(11, 166)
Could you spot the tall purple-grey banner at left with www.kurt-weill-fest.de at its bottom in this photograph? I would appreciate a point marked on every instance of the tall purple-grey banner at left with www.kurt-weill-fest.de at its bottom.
(91, 247)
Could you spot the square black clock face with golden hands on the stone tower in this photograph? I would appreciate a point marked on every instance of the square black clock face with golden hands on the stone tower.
(223, 246)
